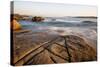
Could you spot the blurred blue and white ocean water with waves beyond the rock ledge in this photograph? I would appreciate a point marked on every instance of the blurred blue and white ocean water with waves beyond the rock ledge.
(84, 27)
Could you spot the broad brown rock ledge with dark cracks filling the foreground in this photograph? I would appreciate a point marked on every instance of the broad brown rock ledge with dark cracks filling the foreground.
(56, 52)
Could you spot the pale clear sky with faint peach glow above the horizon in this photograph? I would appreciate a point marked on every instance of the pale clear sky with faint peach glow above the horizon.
(53, 9)
